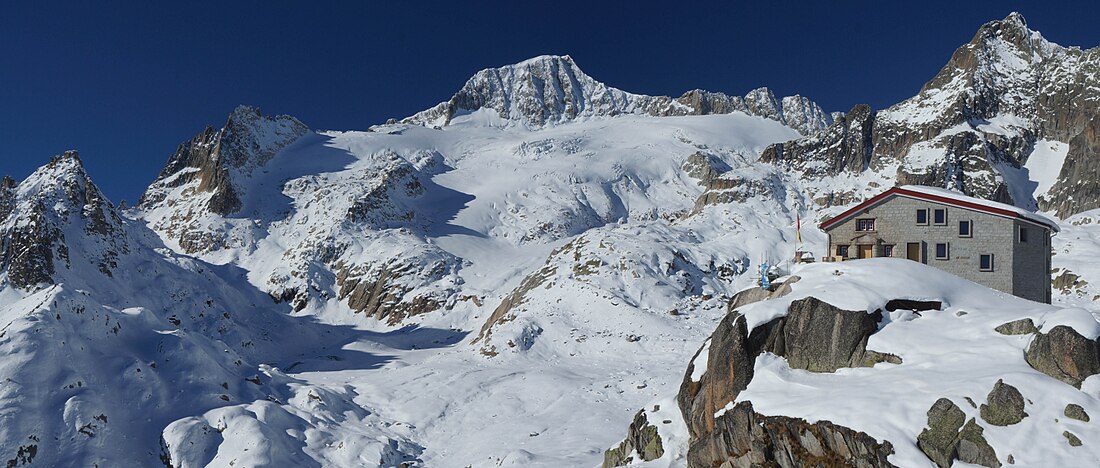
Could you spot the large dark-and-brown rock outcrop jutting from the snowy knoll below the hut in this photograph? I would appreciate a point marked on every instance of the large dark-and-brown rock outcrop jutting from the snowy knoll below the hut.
(815, 336)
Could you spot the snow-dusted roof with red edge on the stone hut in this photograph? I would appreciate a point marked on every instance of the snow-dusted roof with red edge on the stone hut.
(947, 198)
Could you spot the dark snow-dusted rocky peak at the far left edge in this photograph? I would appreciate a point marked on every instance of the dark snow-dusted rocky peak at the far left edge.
(57, 200)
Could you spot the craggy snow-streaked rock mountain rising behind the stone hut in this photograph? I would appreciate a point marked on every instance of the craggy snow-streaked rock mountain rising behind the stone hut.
(974, 126)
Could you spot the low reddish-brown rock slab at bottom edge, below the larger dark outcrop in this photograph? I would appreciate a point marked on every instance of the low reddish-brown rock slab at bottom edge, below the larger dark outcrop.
(752, 440)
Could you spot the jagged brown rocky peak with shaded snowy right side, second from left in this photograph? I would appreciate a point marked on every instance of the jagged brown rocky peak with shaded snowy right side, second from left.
(216, 161)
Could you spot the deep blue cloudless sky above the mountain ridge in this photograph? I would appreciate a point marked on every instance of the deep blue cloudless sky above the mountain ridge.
(126, 83)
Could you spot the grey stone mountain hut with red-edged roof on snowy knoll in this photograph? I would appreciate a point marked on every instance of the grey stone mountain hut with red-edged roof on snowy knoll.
(992, 244)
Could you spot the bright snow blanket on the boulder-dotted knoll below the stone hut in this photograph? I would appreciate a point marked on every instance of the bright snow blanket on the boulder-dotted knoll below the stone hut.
(954, 353)
